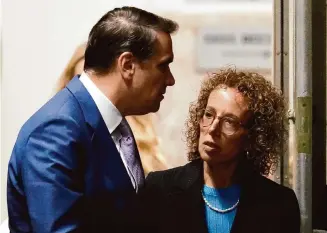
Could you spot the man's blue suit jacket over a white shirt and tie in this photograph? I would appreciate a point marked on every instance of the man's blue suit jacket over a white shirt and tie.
(65, 173)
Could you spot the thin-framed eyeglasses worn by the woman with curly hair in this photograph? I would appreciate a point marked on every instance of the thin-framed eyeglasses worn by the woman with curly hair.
(226, 124)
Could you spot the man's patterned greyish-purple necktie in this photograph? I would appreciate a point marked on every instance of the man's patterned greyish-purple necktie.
(130, 153)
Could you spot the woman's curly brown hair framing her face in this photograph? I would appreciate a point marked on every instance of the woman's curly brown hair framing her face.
(267, 106)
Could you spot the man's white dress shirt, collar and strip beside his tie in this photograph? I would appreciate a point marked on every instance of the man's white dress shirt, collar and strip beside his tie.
(109, 113)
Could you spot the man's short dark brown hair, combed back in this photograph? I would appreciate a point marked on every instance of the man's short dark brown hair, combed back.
(126, 29)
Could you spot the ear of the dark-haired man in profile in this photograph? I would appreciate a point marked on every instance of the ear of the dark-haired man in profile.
(126, 65)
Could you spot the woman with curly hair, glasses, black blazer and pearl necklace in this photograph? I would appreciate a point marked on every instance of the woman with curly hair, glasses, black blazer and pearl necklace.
(234, 135)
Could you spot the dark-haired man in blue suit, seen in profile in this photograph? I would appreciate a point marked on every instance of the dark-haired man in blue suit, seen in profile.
(75, 165)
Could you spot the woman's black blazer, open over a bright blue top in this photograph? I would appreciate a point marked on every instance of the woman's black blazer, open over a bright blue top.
(173, 203)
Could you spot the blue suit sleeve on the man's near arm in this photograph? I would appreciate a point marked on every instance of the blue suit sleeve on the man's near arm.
(52, 177)
